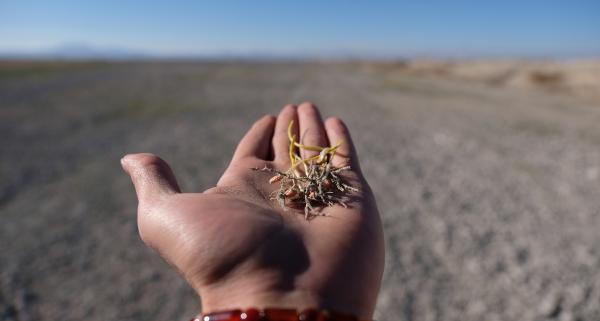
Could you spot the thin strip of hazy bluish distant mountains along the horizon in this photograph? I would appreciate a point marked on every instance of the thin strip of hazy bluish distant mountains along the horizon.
(83, 51)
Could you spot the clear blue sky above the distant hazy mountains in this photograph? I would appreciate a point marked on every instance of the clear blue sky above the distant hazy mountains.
(383, 28)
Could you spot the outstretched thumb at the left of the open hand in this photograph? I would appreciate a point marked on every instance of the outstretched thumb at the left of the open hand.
(151, 176)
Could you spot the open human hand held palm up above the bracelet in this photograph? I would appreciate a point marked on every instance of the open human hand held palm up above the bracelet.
(238, 248)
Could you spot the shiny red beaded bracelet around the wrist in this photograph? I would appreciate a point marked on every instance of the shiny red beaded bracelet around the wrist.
(271, 314)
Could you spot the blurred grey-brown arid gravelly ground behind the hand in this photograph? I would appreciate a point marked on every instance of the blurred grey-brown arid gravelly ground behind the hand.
(487, 176)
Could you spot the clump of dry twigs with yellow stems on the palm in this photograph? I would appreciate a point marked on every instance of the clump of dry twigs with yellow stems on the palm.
(310, 181)
